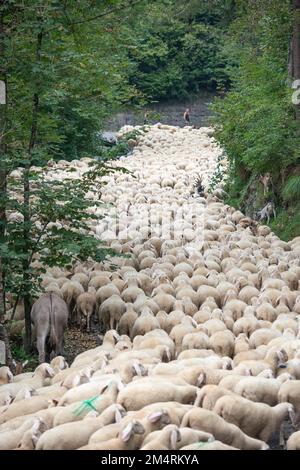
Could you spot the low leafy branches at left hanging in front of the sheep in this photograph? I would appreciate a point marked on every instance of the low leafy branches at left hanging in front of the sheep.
(58, 230)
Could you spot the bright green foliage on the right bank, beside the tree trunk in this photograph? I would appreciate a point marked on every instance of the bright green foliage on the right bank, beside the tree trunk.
(255, 122)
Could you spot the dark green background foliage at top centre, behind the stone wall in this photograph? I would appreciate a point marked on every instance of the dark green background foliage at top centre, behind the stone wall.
(177, 50)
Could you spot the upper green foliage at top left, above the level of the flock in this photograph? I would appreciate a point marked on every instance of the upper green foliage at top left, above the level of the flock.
(81, 75)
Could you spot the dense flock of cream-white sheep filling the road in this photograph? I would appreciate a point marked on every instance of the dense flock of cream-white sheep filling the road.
(202, 342)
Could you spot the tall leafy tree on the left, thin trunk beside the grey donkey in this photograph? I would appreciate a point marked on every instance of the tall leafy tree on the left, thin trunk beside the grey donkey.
(54, 55)
